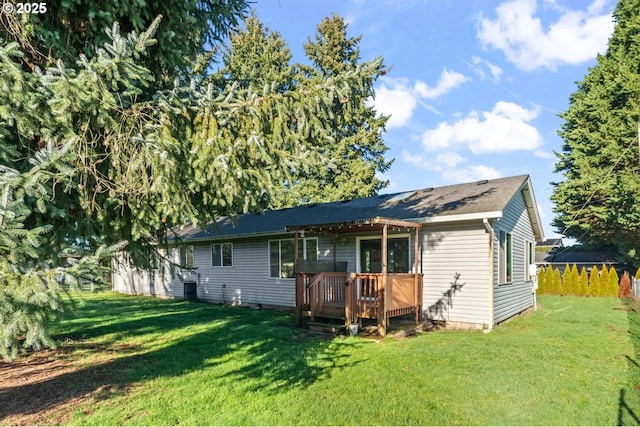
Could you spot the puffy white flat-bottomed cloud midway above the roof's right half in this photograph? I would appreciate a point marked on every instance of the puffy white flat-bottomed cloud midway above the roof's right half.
(503, 129)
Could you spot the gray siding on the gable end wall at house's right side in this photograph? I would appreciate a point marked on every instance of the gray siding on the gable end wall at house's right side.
(515, 297)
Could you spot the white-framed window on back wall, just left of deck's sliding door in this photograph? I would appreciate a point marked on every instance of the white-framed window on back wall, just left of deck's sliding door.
(281, 255)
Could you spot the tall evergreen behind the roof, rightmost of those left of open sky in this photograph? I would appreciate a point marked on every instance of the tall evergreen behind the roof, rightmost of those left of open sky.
(355, 150)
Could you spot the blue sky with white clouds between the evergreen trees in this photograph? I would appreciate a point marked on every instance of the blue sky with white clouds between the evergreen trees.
(476, 86)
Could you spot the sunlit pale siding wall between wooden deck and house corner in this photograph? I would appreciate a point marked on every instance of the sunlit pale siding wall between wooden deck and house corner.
(449, 249)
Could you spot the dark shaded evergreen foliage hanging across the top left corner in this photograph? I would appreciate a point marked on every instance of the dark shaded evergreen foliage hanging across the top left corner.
(74, 28)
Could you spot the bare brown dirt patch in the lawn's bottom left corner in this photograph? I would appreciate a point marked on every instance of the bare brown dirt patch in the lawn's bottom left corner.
(43, 387)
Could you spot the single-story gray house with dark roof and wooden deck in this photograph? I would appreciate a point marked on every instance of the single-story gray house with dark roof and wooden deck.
(460, 254)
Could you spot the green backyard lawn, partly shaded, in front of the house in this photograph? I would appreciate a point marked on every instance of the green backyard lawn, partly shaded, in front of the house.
(142, 361)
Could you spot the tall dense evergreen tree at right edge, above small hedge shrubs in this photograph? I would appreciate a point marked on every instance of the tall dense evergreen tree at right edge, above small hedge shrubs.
(597, 201)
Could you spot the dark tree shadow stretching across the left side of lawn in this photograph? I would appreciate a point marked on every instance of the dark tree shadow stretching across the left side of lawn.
(270, 354)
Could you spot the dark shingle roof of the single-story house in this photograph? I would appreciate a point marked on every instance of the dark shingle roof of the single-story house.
(470, 198)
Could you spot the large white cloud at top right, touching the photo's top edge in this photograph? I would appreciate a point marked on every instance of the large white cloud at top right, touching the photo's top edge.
(575, 37)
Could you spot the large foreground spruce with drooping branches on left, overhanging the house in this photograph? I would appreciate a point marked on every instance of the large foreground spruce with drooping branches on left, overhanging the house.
(142, 156)
